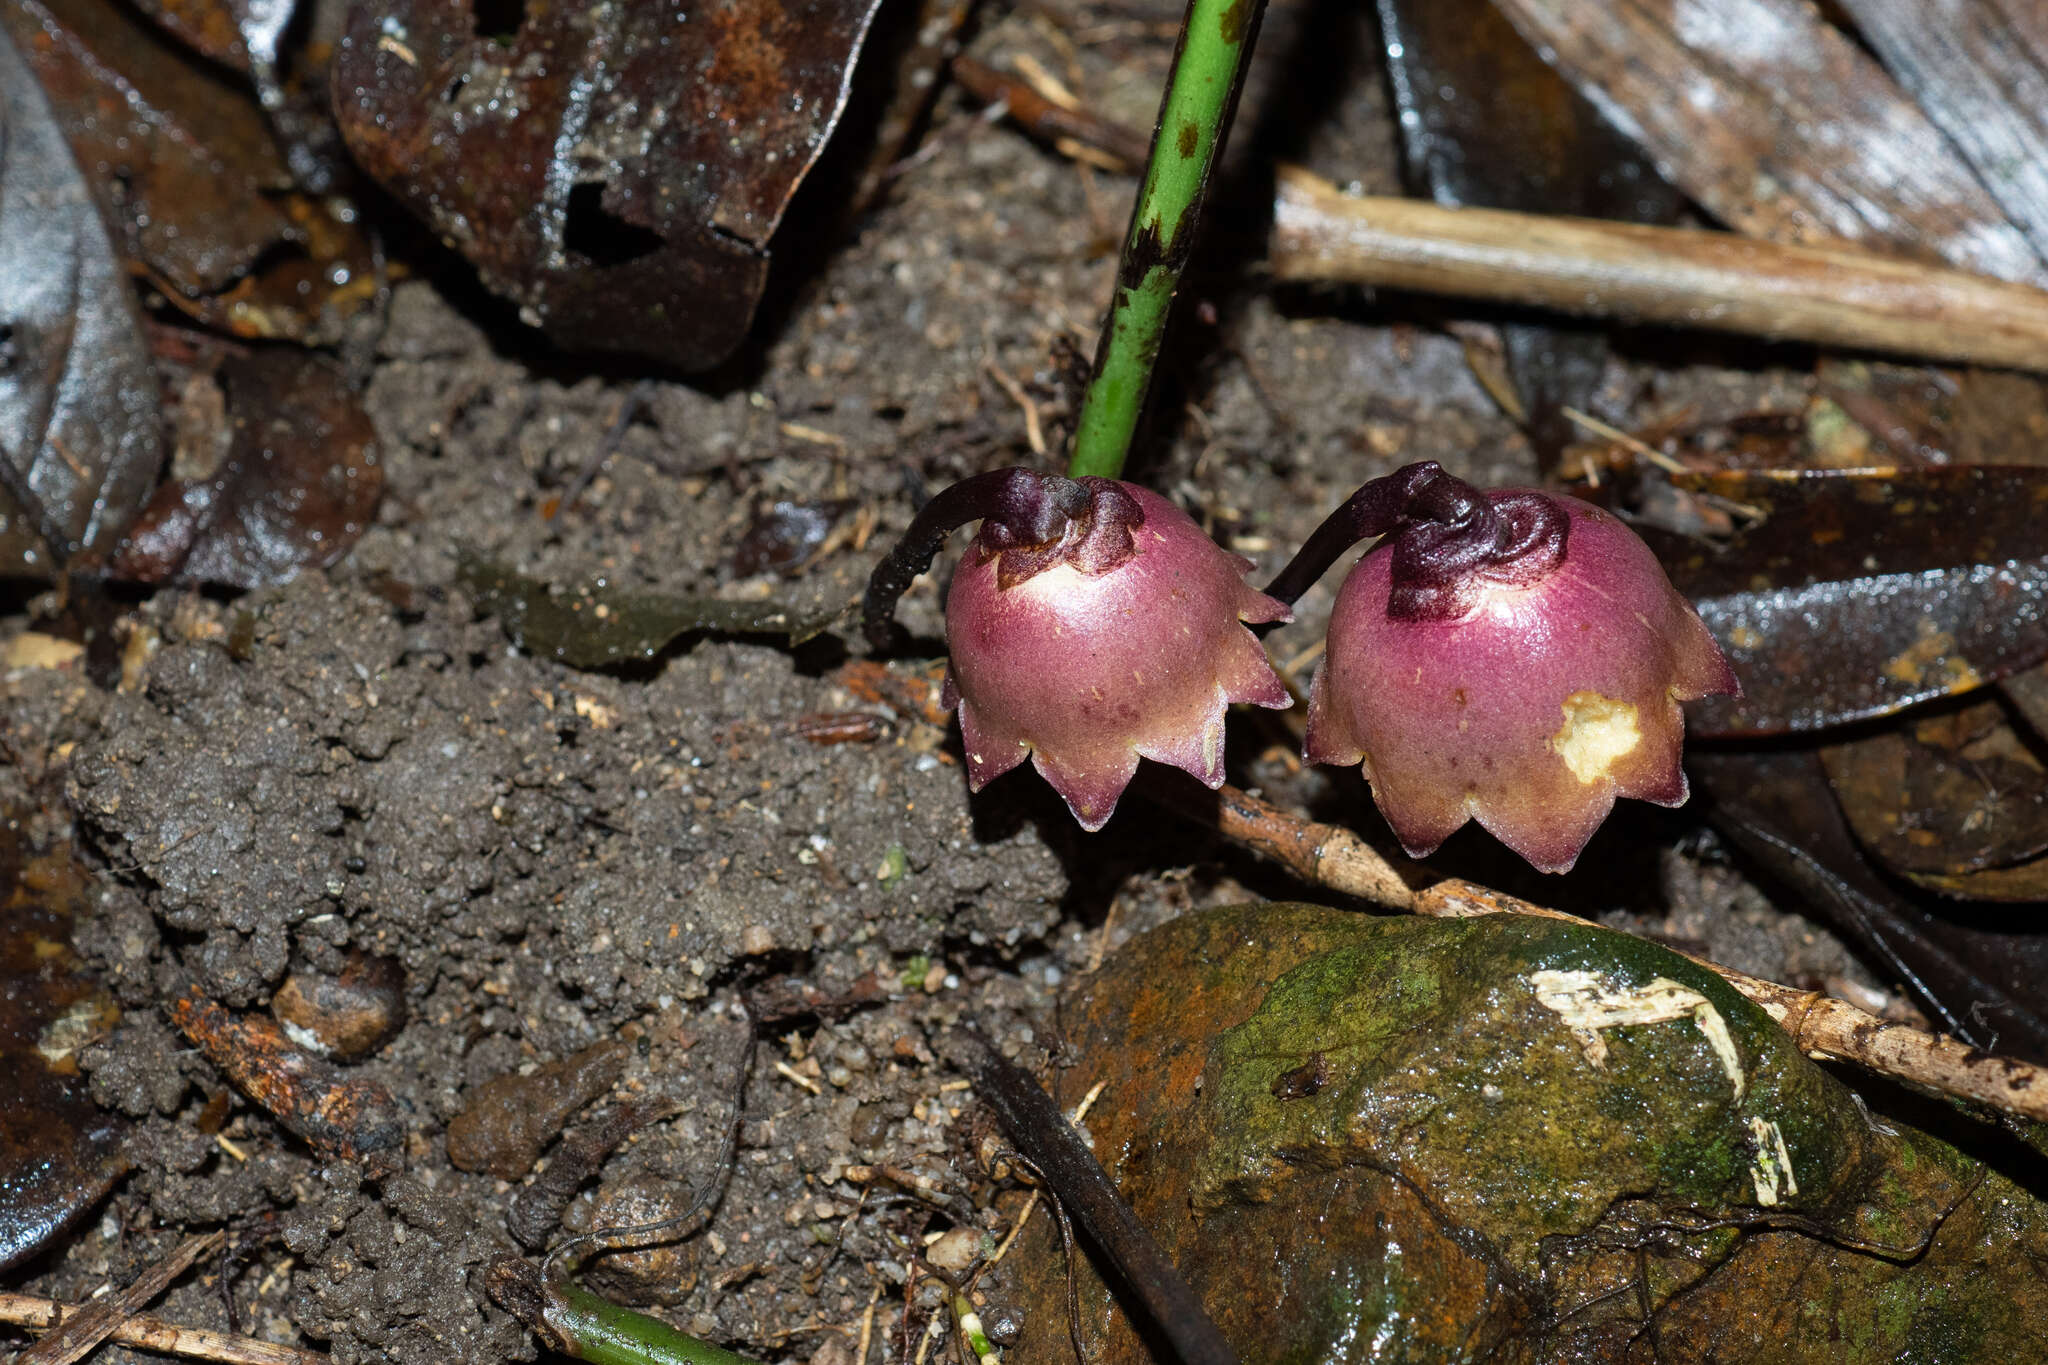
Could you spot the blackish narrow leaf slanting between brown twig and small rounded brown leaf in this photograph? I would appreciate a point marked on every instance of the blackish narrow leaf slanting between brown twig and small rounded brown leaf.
(1981, 977)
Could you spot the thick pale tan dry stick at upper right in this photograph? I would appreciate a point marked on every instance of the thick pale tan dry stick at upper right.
(1658, 275)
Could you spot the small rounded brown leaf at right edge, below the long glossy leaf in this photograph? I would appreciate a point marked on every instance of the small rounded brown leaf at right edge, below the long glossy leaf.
(1945, 797)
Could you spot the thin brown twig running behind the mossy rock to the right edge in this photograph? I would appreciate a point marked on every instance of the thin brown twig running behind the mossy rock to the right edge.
(1822, 1026)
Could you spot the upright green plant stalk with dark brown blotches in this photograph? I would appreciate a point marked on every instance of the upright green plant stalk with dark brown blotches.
(1201, 95)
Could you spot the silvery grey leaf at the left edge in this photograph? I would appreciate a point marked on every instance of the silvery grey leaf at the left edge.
(79, 419)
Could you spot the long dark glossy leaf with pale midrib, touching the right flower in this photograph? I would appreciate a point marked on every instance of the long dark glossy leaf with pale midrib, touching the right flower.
(1859, 595)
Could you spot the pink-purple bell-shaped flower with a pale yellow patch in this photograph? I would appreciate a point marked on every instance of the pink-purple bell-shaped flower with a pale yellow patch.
(1514, 658)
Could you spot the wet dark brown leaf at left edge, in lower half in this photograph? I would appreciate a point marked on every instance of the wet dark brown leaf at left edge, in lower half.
(58, 1151)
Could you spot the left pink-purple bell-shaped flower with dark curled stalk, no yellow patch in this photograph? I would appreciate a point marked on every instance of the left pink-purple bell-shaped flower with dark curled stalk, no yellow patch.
(1091, 625)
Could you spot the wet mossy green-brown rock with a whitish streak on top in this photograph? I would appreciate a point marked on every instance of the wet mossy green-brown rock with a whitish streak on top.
(1496, 1168)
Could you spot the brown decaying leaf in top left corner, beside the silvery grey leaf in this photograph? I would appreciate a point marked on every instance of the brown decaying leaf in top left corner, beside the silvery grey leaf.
(198, 189)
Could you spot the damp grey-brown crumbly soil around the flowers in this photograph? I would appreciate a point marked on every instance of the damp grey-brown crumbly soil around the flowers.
(566, 858)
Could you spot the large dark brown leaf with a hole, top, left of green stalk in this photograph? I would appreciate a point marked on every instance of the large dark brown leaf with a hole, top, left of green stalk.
(615, 171)
